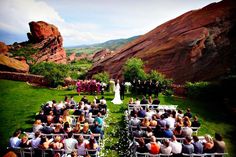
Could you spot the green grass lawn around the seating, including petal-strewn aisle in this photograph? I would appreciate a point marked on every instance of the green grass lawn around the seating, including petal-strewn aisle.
(20, 102)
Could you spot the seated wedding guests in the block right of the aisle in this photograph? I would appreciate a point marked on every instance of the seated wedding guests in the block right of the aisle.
(147, 124)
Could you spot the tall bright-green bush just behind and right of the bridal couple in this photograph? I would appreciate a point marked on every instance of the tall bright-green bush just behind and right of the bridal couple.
(133, 69)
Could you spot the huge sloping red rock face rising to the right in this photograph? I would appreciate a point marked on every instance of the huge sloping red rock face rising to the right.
(198, 45)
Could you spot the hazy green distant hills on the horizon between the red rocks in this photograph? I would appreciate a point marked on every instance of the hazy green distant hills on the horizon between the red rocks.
(110, 44)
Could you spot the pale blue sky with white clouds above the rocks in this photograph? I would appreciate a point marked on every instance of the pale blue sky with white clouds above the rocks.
(90, 21)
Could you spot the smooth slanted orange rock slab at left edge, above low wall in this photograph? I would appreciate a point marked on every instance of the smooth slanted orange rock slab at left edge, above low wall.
(11, 64)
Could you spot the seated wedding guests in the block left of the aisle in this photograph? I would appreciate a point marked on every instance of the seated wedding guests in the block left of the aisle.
(56, 119)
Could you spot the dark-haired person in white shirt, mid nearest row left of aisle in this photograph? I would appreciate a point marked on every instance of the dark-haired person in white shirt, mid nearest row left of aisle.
(70, 143)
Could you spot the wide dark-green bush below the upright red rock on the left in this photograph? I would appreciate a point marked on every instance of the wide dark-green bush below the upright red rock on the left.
(54, 73)
